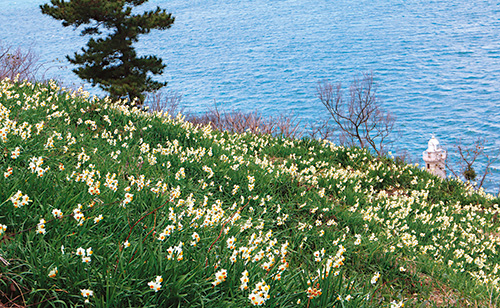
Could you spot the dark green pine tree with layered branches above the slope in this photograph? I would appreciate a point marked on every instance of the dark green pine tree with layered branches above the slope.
(109, 60)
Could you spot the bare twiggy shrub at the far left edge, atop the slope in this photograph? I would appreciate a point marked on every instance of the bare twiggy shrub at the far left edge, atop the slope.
(17, 62)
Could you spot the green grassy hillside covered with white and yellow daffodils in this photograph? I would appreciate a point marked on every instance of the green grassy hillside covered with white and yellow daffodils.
(315, 222)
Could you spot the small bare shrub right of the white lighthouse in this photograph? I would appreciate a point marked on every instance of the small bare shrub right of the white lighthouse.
(469, 154)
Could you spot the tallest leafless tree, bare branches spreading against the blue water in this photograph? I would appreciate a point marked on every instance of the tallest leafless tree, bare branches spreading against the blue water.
(360, 118)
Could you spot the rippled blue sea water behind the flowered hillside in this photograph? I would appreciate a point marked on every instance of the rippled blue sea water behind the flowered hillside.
(436, 63)
